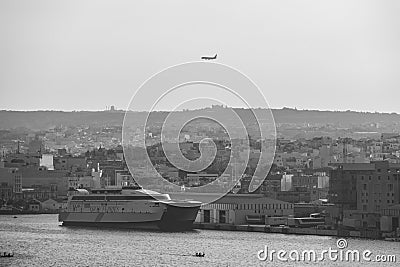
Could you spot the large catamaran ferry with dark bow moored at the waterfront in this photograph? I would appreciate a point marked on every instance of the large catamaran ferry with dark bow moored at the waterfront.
(128, 207)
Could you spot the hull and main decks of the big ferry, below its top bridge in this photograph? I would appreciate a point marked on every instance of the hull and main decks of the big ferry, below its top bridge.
(141, 214)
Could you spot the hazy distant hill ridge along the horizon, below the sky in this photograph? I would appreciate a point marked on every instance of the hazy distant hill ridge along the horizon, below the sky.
(39, 120)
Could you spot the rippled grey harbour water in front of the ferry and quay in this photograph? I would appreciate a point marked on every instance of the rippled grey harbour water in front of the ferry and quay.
(38, 240)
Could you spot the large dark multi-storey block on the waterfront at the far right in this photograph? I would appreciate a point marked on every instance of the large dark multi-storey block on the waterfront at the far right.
(365, 190)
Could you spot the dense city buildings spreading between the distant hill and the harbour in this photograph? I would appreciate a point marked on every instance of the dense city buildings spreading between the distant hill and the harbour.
(352, 183)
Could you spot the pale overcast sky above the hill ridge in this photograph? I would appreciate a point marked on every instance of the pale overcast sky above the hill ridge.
(86, 55)
